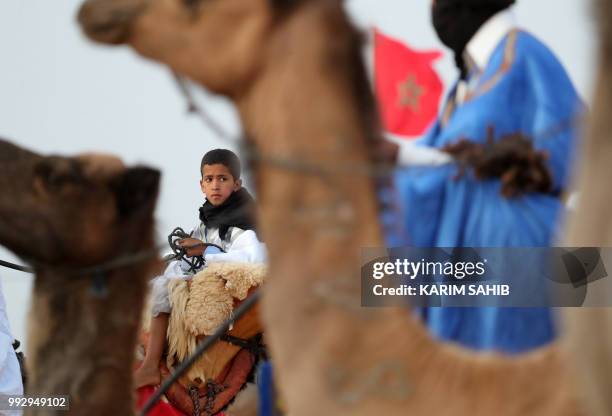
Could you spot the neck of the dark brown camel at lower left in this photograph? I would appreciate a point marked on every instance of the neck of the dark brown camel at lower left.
(82, 344)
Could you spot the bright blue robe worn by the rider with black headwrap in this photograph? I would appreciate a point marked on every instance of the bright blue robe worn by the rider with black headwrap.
(524, 89)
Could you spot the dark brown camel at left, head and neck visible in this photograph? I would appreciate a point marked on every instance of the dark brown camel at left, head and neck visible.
(66, 215)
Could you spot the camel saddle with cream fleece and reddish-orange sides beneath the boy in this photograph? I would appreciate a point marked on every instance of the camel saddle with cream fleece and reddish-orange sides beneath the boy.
(199, 306)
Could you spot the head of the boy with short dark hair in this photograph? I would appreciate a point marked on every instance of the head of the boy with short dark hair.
(220, 169)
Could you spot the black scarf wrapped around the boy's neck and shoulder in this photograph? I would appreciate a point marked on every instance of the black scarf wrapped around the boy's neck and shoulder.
(237, 211)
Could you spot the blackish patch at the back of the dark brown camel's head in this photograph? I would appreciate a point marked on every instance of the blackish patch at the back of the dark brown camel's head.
(136, 191)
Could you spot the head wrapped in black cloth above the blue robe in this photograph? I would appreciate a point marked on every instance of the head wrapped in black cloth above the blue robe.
(456, 21)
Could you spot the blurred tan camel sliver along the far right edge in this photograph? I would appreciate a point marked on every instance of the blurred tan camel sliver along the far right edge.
(590, 329)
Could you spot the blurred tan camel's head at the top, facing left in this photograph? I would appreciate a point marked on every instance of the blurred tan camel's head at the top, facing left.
(221, 44)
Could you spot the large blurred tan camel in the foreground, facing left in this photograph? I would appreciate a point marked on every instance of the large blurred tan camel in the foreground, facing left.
(294, 71)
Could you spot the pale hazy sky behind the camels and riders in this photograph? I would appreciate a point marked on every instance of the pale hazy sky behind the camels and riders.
(60, 93)
